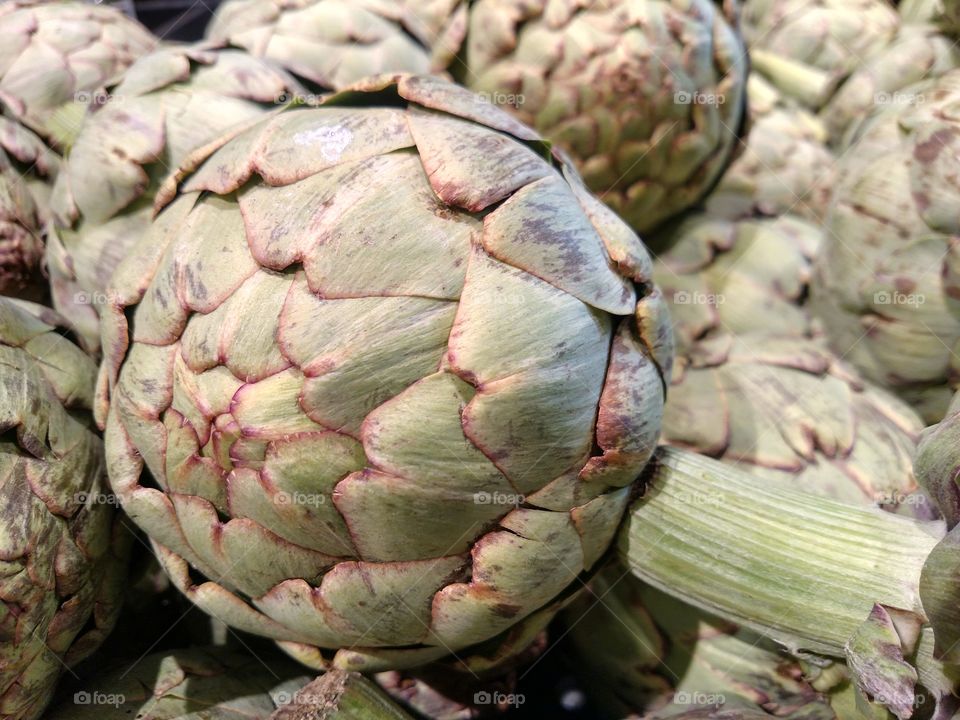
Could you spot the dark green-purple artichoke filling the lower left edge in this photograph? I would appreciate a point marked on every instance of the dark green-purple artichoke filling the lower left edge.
(62, 553)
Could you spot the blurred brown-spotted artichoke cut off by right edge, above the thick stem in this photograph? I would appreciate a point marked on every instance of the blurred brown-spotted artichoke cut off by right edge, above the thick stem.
(887, 282)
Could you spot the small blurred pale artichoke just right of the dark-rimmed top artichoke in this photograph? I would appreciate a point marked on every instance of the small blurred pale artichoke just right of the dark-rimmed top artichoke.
(784, 167)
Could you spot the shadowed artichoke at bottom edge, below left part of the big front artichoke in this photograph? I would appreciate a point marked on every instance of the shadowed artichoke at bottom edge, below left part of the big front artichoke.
(194, 684)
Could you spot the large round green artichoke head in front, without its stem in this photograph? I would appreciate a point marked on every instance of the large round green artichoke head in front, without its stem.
(393, 369)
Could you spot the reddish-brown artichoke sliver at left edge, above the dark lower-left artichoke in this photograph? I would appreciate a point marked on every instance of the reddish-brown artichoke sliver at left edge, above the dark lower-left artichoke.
(27, 167)
